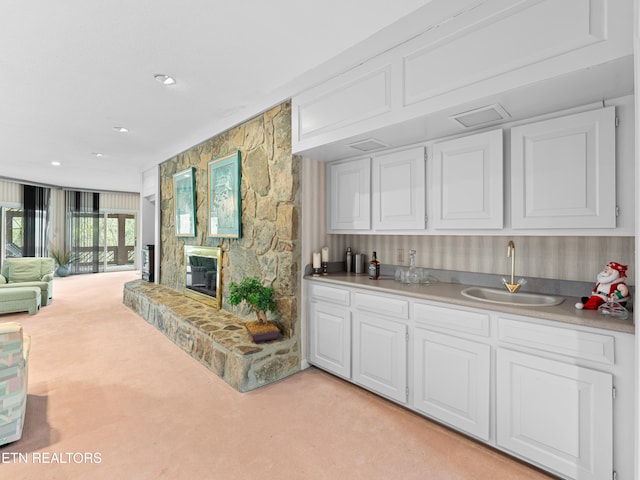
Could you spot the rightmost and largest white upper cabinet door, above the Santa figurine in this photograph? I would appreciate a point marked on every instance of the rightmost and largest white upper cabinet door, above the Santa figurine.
(563, 172)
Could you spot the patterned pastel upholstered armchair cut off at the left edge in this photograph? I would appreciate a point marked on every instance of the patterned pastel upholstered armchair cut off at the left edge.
(14, 356)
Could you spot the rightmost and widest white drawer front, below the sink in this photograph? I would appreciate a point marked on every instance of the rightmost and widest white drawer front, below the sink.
(563, 341)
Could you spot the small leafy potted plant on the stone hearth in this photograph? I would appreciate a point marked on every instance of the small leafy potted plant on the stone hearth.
(260, 299)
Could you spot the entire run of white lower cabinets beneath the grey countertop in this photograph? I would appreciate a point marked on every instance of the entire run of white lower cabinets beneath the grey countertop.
(540, 390)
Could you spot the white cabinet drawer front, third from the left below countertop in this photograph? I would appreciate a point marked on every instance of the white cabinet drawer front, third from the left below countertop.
(452, 319)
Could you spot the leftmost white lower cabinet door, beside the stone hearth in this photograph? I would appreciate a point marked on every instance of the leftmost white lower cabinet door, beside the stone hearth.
(330, 338)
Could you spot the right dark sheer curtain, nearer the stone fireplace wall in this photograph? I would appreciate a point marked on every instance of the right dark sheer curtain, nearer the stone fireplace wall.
(84, 231)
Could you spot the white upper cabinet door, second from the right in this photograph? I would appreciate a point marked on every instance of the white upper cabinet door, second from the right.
(467, 182)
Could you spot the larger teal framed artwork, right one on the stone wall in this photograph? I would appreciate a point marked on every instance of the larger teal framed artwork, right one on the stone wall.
(224, 196)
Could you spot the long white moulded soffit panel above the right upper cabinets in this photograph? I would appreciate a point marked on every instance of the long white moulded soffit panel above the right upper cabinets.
(507, 39)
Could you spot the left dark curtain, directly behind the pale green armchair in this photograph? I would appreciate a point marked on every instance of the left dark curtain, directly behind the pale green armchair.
(36, 221)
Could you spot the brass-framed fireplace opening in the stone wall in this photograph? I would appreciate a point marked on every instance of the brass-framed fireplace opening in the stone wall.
(202, 274)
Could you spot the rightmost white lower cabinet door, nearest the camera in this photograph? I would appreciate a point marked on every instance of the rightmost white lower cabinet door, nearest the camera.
(556, 414)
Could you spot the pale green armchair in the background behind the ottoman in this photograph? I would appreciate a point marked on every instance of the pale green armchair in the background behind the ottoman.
(29, 272)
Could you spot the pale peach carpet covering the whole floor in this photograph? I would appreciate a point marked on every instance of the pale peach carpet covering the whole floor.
(111, 397)
